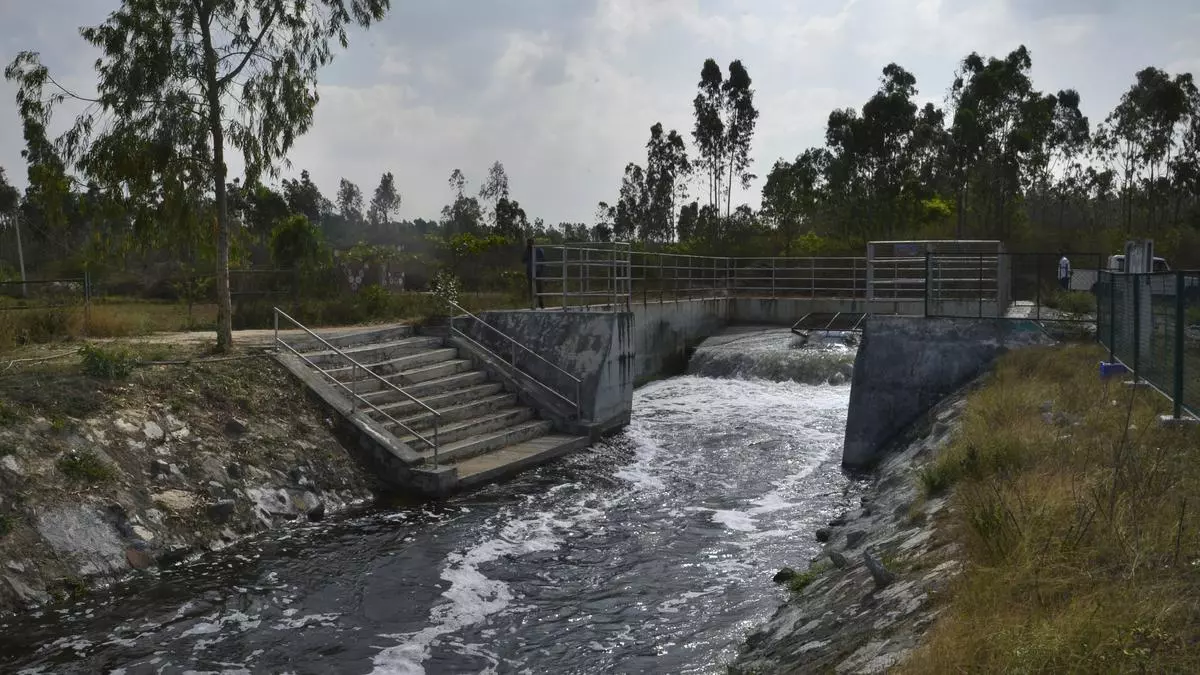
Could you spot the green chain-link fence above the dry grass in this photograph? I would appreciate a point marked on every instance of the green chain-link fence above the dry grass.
(1151, 324)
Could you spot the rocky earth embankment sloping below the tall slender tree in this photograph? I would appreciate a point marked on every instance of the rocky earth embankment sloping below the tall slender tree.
(103, 480)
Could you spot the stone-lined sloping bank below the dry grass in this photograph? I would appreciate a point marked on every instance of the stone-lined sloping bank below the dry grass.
(866, 601)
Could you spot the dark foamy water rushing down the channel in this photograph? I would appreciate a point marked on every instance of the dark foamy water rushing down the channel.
(650, 553)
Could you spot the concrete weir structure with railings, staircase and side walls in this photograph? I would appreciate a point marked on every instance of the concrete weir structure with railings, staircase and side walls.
(609, 319)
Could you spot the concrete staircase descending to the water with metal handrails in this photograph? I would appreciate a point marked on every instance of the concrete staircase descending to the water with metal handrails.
(484, 432)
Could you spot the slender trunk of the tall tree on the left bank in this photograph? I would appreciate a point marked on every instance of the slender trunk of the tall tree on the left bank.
(225, 303)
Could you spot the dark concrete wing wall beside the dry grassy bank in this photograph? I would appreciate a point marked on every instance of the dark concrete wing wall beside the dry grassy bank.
(905, 366)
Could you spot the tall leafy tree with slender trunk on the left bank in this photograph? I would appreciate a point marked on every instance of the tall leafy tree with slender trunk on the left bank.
(182, 80)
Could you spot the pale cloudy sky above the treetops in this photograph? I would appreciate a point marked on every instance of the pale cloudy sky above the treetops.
(565, 92)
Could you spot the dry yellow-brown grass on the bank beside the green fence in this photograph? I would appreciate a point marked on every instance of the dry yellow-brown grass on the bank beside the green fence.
(1082, 531)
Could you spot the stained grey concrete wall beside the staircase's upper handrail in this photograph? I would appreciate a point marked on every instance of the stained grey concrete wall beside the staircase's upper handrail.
(597, 348)
